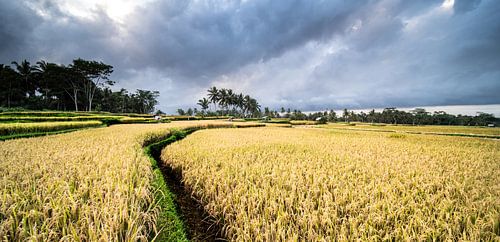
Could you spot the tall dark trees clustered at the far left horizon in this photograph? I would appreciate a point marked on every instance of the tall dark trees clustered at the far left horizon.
(82, 85)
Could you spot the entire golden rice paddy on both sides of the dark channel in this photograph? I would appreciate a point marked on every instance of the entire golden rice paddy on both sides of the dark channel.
(260, 183)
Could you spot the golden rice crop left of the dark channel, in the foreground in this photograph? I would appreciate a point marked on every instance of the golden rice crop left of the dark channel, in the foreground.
(89, 185)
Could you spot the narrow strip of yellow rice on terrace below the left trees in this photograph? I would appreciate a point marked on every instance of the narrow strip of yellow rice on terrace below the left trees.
(20, 128)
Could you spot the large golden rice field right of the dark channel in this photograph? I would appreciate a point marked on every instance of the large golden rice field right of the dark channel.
(275, 184)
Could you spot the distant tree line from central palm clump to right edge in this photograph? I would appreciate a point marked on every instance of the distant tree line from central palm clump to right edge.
(226, 102)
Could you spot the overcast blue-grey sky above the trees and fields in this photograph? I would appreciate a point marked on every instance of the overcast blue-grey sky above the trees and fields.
(307, 54)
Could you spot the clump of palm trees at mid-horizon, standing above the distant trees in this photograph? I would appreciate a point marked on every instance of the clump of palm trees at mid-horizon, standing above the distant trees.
(223, 102)
